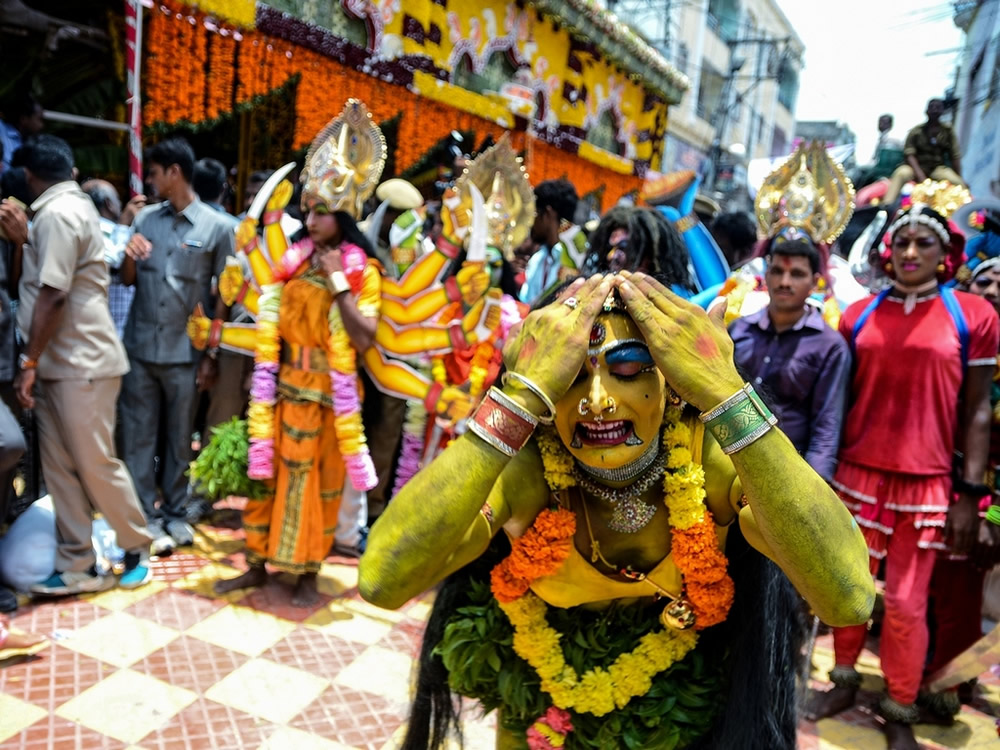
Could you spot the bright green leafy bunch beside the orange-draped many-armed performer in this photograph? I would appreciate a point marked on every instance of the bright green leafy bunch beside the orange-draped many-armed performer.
(221, 468)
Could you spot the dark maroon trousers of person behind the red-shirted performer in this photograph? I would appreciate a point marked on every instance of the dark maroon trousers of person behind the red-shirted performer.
(957, 591)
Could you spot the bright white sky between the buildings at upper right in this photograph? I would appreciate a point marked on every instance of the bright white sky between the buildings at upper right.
(868, 57)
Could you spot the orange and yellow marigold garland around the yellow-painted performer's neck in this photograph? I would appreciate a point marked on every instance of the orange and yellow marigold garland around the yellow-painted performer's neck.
(546, 545)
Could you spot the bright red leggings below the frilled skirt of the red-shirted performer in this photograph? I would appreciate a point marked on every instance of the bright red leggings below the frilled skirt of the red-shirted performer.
(903, 648)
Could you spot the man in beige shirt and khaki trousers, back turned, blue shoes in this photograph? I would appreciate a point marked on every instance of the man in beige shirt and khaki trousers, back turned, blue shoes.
(70, 374)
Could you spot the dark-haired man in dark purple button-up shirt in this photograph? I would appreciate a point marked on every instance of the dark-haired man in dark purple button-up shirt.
(801, 362)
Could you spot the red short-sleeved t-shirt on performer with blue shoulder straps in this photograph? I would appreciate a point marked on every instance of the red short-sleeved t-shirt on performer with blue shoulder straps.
(903, 413)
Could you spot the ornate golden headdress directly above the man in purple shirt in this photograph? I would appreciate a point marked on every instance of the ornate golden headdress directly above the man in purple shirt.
(810, 192)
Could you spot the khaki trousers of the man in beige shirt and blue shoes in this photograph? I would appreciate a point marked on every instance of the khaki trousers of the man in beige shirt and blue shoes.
(76, 422)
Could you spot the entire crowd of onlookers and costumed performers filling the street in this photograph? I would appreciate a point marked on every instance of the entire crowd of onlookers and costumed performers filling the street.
(478, 367)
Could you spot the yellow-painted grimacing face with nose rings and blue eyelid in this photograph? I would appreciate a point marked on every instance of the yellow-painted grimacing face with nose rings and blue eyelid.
(614, 409)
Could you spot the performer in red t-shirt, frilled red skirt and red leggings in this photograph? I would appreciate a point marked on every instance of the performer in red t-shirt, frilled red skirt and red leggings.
(924, 360)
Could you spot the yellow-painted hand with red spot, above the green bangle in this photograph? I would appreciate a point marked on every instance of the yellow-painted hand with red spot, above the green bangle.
(692, 348)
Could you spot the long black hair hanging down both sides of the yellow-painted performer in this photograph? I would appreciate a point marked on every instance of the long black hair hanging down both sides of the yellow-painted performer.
(763, 635)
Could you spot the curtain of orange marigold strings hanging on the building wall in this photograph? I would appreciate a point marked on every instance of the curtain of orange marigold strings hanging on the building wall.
(194, 74)
